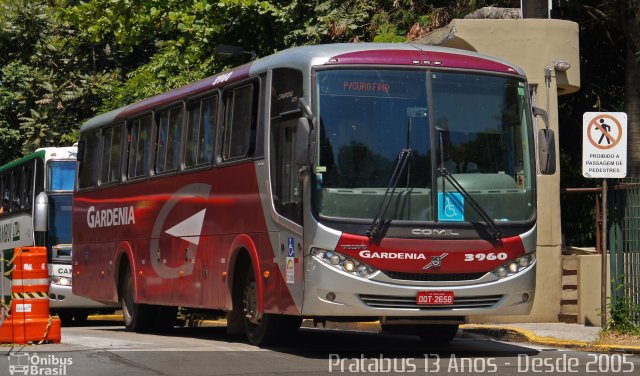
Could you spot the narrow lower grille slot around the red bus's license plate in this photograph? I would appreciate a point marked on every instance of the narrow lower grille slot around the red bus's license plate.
(409, 302)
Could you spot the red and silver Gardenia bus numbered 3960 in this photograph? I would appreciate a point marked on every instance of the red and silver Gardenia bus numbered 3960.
(342, 182)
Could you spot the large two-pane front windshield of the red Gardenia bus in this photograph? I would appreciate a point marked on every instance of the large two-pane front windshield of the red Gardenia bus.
(475, 126)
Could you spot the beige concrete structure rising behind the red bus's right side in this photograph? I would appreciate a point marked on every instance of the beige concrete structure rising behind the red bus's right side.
(532, 44)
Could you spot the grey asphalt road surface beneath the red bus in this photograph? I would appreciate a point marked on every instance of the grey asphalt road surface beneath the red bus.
(109, 350)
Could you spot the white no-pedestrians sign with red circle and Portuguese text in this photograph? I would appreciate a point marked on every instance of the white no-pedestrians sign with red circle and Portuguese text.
(604, 145)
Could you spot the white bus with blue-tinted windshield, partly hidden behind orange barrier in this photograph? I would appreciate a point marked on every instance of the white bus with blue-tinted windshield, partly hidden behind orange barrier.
(37, 193)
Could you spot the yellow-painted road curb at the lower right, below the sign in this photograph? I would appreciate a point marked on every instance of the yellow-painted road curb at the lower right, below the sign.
(515, 334)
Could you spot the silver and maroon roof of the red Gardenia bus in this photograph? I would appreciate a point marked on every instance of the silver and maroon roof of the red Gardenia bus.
(306, 57)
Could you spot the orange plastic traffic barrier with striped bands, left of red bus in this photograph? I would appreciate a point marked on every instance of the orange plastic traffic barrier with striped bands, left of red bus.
(29, 320)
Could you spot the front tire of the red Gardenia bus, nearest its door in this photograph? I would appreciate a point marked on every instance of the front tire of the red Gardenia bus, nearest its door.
(268, 329)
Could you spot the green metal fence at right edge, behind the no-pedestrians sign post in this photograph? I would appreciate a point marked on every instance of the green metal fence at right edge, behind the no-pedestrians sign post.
(624, 244)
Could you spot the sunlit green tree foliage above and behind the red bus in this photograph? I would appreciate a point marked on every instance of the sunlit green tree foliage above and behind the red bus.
(63, 61)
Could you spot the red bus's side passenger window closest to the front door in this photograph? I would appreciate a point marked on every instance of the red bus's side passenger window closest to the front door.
(239, 122)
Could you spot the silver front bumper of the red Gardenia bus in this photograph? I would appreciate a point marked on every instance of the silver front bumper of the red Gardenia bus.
(381, 296)
